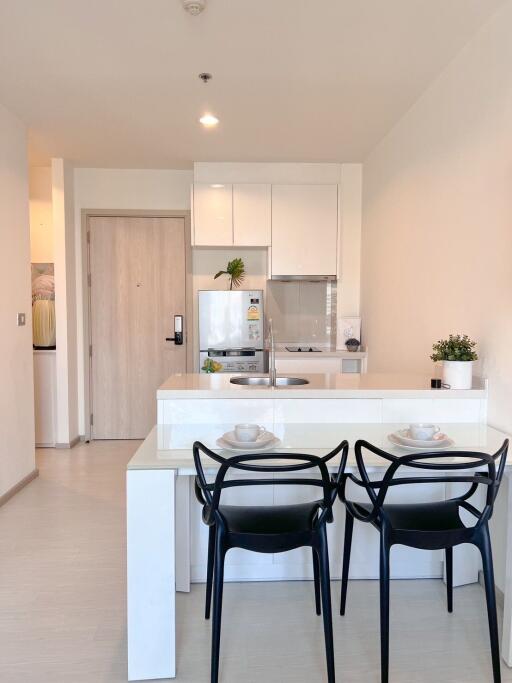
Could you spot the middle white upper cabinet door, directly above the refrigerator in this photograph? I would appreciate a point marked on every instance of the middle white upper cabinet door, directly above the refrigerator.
(251, 215)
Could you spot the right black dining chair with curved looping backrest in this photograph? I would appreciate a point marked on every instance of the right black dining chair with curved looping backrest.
(428, 526)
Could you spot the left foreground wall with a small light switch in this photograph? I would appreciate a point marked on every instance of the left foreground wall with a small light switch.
(16, 367)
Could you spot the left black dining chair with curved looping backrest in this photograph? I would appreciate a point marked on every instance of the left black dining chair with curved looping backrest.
(270, 529)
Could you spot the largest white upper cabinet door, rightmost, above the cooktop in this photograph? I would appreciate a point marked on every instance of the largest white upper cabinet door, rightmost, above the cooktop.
(304, 229)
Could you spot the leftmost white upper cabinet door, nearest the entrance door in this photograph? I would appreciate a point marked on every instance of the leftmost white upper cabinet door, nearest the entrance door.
(213, 215)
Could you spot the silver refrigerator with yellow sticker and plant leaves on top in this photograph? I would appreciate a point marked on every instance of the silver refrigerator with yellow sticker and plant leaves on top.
(231, 331)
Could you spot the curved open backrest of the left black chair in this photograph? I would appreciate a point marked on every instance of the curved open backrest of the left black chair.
(264, 463)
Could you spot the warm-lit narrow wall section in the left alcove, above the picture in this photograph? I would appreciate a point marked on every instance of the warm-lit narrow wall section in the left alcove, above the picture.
(41, 231)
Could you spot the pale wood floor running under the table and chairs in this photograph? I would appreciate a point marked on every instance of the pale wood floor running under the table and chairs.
(62, 601)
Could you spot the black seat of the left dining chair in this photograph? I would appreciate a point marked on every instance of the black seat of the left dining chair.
(274, 519)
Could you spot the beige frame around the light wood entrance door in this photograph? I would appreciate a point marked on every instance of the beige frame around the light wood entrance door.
(86, 214)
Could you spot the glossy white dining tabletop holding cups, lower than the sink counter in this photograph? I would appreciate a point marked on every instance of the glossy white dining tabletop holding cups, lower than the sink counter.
(175, 451)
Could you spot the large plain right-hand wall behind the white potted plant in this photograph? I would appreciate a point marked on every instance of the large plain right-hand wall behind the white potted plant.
(437, 222)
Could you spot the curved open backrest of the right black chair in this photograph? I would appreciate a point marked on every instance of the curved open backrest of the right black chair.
(467, 467)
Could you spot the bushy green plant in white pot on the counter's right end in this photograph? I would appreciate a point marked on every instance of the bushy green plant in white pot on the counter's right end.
(457, 354)
